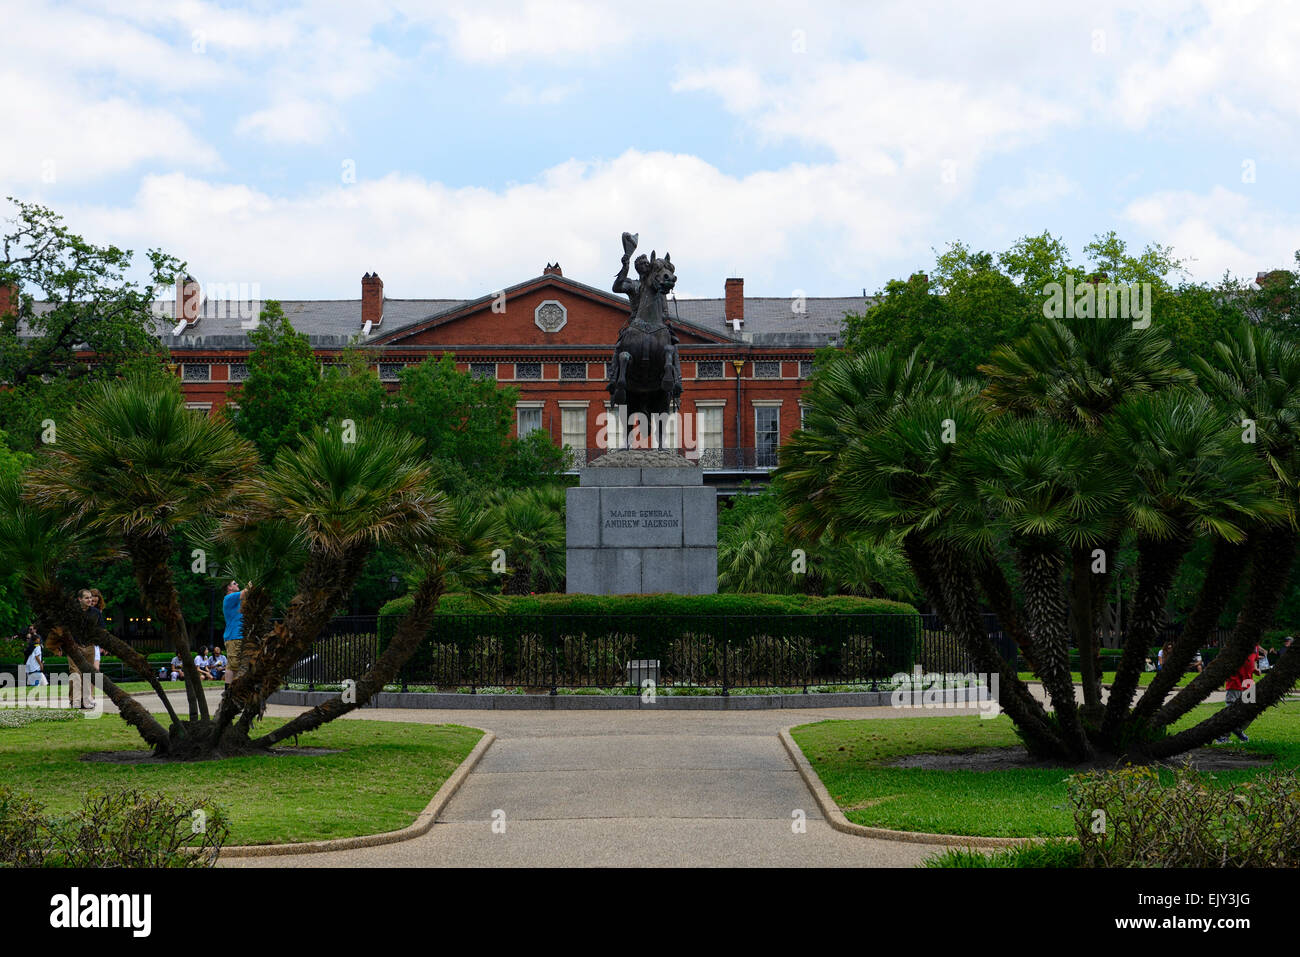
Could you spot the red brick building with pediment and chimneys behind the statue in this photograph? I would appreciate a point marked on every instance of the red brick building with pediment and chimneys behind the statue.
(744, 361)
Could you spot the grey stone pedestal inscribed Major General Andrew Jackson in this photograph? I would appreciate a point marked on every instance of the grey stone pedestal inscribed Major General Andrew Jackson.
(642, 522)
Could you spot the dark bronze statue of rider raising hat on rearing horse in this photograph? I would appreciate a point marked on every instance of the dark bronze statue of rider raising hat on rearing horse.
(645, 376)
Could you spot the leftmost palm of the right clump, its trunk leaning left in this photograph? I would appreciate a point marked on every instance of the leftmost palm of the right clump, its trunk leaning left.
(883, 466)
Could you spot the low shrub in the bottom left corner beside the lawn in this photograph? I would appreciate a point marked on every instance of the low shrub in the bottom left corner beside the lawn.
(112, 829)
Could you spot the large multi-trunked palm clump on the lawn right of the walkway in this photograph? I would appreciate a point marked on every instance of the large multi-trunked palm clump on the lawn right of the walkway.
(1087, 435)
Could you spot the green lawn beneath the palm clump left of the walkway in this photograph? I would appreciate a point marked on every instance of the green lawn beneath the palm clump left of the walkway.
(383, 778)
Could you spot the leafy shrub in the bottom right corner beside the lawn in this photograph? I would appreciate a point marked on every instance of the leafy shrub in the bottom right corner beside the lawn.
(1189, 822)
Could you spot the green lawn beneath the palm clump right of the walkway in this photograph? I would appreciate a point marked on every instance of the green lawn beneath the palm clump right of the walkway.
(1016, 803)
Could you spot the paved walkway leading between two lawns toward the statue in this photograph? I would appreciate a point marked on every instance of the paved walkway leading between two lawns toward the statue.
(597, 789)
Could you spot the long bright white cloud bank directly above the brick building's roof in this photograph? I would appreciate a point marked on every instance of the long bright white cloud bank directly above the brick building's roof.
(428, 240)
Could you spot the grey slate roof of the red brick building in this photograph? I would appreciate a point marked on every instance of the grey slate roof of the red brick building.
(335, 323)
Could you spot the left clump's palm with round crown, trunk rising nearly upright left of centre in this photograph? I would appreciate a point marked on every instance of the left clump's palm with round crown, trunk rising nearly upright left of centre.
(136, 465)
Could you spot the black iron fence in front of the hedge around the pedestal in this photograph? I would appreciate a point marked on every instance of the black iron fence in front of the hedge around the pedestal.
(543, 653)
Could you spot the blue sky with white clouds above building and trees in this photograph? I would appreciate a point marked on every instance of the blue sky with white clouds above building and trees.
(813, 149)
